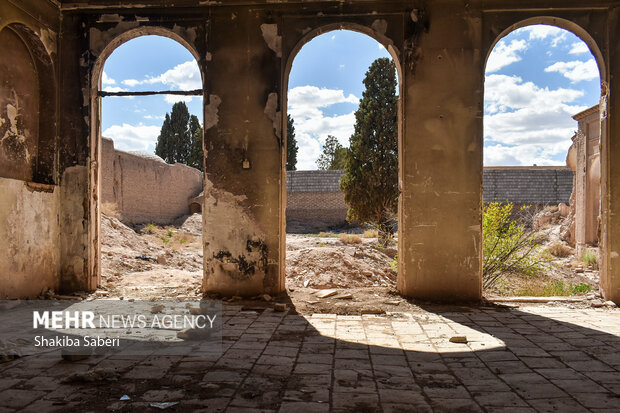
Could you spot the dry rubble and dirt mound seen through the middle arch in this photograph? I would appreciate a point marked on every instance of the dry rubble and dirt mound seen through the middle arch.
(329, 263)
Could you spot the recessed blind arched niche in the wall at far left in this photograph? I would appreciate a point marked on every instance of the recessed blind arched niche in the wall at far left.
(27, 107)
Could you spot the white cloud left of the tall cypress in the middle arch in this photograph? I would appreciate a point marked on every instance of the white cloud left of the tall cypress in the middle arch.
(312, 126)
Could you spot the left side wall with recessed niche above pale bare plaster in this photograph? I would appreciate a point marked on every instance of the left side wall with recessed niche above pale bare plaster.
(31, 260)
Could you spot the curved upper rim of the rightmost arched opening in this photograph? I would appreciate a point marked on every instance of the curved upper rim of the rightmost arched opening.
(562, 24)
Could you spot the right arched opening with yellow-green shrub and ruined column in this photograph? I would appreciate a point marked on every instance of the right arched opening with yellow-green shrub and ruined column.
(542, 135)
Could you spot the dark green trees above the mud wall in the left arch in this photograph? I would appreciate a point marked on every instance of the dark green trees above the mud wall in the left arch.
(180, 138)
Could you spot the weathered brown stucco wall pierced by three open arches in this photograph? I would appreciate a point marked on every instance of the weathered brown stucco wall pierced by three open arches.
(245, 50)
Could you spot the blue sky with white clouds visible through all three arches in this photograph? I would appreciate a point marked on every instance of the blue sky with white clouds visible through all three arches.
(537, 78)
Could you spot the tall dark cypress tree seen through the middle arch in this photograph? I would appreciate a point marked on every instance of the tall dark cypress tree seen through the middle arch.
(370, 184)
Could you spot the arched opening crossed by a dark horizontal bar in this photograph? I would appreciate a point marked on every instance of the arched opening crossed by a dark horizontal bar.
(150, 145)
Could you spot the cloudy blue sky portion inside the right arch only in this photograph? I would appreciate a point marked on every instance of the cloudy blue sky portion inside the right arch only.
(537, 78)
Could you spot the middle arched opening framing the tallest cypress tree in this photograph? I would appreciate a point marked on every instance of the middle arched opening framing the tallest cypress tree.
(329, 72)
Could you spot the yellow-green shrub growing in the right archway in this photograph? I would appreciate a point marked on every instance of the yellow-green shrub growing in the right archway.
(507, 246)
